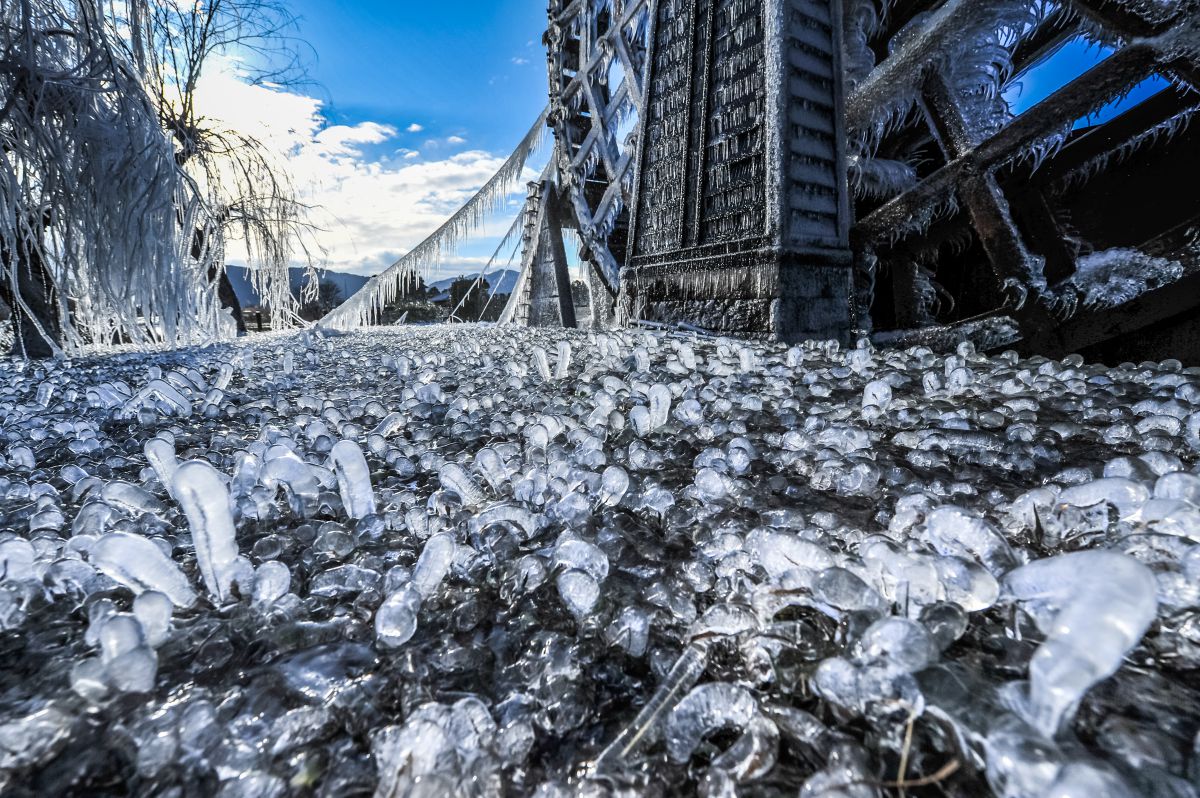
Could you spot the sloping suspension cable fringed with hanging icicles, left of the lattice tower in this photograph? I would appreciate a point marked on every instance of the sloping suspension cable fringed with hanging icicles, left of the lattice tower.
(364, 307)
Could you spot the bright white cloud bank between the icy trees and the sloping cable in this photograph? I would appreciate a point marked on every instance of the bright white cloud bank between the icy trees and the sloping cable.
(369, 207)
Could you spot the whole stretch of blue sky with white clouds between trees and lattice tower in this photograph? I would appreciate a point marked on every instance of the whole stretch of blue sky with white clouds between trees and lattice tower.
(410, 109)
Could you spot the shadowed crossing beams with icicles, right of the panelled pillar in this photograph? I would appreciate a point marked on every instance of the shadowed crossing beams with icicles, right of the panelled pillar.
(969, 211)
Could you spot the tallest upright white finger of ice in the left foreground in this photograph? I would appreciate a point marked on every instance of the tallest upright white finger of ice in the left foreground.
(206, 502)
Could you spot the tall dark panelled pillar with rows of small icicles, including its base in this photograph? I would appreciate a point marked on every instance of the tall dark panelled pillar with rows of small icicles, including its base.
(741, 221)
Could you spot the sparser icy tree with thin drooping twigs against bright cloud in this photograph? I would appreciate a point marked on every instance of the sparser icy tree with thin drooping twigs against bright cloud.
(241, 190)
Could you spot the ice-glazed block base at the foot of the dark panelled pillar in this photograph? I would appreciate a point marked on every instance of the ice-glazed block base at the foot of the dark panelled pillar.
(797, 297)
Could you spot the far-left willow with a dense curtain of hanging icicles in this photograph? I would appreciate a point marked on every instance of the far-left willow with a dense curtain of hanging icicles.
(89, 190)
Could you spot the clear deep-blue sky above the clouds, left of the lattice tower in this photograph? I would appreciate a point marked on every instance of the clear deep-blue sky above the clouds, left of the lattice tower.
(473, 69)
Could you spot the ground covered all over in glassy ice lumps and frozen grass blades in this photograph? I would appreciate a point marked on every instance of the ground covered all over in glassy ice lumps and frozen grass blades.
(475, 561)
